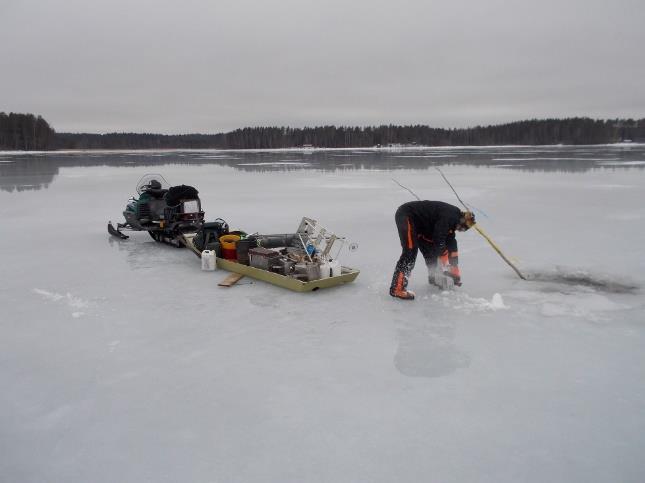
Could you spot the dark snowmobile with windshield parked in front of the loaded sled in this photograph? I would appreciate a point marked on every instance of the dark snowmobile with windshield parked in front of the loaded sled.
(166, 212)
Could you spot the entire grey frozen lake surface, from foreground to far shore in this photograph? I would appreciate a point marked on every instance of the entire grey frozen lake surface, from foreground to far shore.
(123, 361)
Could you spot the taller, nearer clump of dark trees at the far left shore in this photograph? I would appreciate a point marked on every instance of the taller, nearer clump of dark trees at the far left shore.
(25, 132)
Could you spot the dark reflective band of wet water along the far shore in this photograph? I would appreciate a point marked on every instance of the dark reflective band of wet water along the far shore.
(29, 171)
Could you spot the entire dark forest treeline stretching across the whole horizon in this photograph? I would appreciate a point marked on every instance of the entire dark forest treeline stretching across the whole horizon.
(28, 132)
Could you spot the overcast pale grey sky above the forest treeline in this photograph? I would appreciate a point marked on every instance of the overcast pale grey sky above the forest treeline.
(213, 65)
